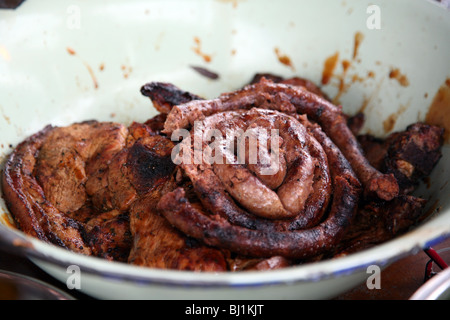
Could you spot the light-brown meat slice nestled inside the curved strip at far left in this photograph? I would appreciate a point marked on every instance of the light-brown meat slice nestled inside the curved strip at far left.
(73, 158)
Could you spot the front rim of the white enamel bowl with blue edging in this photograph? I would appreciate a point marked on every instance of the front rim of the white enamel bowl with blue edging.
(381, 255)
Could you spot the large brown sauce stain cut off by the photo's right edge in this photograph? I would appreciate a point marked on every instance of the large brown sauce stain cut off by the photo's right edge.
(439, 111)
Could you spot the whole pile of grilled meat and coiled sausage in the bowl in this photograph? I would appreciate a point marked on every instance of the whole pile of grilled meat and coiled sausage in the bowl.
(116, 192)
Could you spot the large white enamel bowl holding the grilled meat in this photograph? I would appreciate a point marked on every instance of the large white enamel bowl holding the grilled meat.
(65, 61)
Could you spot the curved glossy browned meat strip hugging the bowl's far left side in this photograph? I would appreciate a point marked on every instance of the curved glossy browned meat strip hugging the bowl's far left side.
(25, 198)
